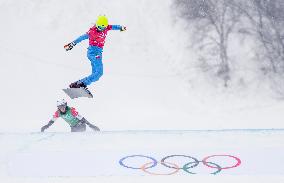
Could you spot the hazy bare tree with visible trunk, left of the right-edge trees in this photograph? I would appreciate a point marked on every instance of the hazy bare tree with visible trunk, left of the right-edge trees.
(213, 22)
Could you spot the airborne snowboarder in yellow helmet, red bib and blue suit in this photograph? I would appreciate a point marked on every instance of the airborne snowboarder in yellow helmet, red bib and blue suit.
(96, 36)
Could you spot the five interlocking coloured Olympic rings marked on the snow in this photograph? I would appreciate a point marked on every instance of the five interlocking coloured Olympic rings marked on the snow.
(191, 163)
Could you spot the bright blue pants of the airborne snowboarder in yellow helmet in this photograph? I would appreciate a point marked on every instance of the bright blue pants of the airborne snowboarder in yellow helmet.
(95, 56)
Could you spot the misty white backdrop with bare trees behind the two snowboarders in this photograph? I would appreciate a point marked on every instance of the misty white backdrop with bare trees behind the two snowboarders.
(181, 64)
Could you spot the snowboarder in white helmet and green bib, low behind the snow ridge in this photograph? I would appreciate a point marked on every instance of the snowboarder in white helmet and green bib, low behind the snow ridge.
(71, 116)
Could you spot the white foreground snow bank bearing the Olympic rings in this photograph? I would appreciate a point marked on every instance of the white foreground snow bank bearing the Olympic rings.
(120, 155)
